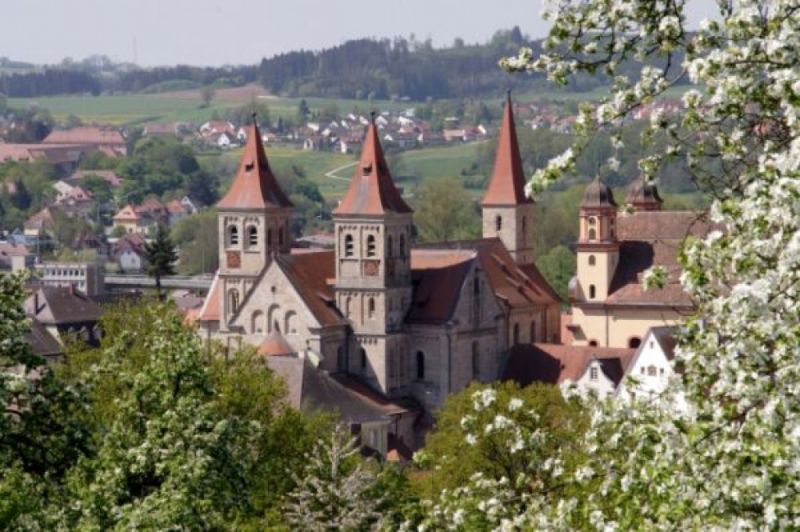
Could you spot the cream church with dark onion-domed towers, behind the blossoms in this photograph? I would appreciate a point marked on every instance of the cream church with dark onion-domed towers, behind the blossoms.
(610, 307)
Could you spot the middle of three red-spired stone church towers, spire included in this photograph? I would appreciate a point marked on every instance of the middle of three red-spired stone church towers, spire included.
(373, 269)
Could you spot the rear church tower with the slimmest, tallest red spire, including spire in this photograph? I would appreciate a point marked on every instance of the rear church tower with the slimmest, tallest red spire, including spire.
(507, 212)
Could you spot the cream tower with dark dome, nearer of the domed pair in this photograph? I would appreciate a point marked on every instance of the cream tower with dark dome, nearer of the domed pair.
(598, 248)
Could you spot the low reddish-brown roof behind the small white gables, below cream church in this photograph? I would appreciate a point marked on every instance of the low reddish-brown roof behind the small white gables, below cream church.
(556, 363)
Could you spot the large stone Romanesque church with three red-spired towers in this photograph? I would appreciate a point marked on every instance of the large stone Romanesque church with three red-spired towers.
(406, 321)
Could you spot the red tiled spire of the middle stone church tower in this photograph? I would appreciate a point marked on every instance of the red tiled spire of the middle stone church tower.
(372, 189)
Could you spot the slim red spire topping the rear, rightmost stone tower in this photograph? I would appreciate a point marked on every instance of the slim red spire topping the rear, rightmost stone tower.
(507, 185)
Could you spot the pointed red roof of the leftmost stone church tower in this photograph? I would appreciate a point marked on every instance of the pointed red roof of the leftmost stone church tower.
(254, 186)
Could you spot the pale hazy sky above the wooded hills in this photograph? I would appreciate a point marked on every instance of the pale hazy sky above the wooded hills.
(215, 32)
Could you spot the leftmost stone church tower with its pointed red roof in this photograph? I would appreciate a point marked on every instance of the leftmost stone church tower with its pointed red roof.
(253, 225)
